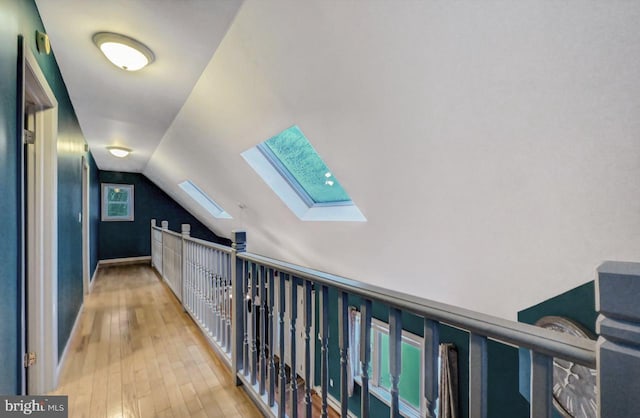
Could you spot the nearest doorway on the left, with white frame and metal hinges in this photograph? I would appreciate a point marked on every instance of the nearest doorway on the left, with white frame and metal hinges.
(39, 227)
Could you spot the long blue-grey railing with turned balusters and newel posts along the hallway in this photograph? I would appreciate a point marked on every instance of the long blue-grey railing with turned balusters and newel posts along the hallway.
(252, 333)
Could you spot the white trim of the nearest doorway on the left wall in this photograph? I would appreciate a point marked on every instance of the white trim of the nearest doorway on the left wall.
(42, 318)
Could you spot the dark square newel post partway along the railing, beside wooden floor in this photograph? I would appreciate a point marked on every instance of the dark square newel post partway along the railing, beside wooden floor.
(239, 245)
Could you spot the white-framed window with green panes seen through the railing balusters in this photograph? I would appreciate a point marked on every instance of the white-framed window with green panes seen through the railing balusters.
(410, 385)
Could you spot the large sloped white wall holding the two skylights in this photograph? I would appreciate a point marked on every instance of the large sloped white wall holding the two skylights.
(493, 146)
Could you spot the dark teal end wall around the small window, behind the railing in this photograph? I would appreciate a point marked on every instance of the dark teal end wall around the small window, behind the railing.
(133, 239)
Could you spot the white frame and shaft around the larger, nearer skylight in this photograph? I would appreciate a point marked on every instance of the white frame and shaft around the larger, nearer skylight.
(273, 172)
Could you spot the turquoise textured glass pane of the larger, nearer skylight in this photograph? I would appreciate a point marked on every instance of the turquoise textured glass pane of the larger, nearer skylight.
(304, 164)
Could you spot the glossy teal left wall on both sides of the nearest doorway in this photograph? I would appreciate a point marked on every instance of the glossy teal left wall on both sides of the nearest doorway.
(21, 17)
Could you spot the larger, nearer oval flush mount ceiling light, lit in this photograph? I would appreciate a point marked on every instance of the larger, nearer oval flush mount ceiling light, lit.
(122, 51)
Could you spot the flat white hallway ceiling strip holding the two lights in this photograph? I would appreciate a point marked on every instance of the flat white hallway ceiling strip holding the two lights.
(133, 109)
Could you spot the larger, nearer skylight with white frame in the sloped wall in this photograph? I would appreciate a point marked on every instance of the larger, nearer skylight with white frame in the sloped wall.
(290, 165)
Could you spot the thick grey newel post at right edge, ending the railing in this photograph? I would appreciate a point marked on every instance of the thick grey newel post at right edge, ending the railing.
(618, 347)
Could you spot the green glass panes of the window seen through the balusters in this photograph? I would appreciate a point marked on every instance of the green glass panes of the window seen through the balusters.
(409, 386)
